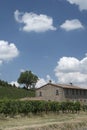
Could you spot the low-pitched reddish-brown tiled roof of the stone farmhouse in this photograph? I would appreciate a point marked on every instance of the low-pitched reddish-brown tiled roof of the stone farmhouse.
(71, 86)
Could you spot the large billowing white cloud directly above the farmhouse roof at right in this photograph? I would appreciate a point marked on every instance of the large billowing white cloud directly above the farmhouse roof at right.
(70, 69)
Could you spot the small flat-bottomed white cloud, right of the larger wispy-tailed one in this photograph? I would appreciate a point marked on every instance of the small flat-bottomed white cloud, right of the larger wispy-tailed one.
(72, 25)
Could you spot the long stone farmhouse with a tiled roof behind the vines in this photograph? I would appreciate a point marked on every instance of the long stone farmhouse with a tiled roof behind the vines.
(61, 92)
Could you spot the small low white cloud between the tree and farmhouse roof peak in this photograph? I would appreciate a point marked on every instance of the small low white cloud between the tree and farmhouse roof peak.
(43, 81)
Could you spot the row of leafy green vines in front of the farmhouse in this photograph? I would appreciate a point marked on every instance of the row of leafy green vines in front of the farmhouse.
(13, 107)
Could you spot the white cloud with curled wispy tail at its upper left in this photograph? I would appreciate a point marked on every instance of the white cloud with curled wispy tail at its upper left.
(34, 22)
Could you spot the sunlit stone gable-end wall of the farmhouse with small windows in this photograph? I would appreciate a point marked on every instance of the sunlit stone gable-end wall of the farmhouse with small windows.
(50, 92)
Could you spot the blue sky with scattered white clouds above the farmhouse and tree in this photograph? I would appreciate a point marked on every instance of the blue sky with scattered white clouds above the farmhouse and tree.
(47, 37)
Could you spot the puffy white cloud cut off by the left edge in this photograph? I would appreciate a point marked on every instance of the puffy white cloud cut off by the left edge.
(8, 51)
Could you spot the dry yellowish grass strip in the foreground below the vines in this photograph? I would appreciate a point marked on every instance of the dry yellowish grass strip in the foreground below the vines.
(44, 122)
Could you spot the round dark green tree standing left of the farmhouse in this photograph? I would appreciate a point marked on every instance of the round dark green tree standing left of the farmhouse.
(28, 78)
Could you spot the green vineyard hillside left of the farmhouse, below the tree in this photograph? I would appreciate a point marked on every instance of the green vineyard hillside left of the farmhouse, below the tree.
(15, 93)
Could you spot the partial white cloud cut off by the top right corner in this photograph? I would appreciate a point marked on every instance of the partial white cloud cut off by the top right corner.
(81, 3)
